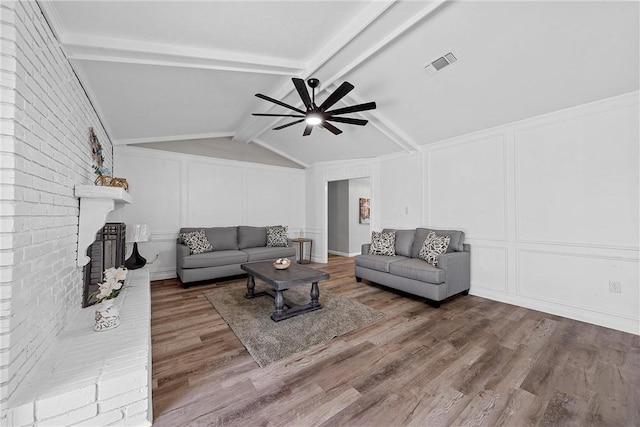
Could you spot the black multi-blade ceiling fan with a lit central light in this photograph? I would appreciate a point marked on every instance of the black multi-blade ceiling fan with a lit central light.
(319, 115)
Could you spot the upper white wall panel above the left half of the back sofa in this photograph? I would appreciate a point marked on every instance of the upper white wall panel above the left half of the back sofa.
(214, 195)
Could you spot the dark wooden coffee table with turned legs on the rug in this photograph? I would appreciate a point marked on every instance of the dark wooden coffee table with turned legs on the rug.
(280, 281)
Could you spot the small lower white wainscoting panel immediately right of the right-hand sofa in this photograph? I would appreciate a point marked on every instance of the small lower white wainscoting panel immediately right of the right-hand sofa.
(489, 268)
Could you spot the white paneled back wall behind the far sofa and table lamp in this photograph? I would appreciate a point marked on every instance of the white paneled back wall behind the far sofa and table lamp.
(173, 190)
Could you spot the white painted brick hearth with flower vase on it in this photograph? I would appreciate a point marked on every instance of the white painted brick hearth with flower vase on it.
(94, 378)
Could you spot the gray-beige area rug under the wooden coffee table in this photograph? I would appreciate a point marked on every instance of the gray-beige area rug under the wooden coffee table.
(268, 341)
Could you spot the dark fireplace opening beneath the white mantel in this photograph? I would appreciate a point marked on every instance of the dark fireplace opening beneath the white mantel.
(108, 250)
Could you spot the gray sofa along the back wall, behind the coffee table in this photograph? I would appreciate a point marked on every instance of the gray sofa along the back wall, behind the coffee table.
(232, 246)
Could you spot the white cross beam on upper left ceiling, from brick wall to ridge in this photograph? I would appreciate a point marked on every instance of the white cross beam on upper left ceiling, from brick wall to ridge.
(91, 48)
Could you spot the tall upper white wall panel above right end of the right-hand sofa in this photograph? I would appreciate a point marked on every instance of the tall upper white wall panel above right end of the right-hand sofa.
(467, 188)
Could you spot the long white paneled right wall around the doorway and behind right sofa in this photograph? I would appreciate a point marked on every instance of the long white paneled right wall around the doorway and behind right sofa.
(549, 205)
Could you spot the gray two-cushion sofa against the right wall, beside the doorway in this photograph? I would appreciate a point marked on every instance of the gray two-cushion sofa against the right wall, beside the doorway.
(408, 273)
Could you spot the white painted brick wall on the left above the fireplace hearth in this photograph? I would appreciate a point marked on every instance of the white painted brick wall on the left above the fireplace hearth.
(45, 117)
